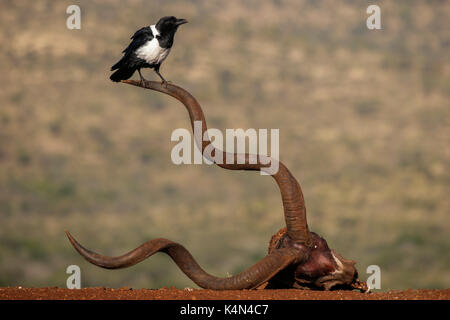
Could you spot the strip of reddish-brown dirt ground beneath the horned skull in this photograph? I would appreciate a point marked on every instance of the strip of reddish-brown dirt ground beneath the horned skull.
(19, 293)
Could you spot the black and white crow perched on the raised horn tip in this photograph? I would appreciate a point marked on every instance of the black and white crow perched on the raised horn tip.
(148, 49)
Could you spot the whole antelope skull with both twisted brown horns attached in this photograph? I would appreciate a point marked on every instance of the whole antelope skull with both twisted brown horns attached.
(297, 258)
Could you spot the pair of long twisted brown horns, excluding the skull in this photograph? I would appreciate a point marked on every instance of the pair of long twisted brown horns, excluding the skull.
(262, 271)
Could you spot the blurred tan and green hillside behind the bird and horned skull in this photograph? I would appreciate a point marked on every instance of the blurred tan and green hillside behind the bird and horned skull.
(364, 123)
